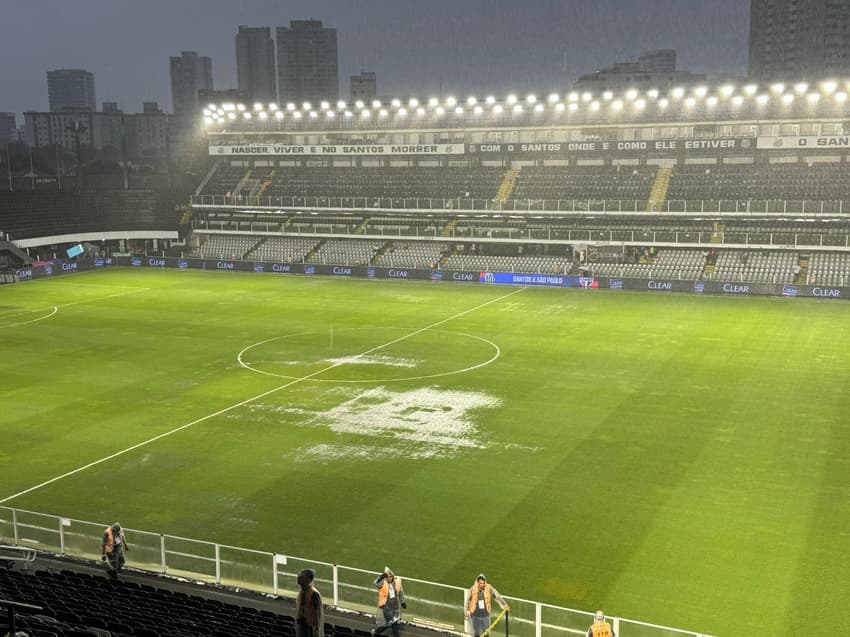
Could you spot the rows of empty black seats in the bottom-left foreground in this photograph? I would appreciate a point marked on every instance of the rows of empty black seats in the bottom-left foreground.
(77, 604)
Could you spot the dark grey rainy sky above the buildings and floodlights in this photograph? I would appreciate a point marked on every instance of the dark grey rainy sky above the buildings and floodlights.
(415, 46)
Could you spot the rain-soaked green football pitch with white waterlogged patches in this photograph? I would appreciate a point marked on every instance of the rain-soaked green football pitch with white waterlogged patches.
(678, 460)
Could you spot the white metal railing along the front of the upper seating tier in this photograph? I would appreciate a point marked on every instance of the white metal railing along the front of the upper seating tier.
(731, 207)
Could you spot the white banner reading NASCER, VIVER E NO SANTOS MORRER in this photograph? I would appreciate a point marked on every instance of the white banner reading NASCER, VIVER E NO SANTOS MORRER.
(365, 150)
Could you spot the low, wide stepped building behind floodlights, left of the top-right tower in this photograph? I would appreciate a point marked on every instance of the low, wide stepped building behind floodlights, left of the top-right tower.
(653, 69)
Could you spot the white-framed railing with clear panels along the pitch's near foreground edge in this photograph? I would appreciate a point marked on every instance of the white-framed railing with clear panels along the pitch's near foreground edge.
(431, 603)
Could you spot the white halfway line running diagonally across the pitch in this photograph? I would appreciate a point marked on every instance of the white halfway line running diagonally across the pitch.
(247, 401)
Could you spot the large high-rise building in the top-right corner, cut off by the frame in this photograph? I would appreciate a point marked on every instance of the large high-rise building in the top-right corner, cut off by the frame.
(799, 39)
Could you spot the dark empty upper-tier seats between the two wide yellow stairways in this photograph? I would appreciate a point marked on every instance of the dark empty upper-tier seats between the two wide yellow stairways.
(584, 182)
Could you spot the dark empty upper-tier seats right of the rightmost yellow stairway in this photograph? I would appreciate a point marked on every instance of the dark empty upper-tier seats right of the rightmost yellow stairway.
(794, 182)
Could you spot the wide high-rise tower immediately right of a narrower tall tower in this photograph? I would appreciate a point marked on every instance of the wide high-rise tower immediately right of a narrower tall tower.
(307, 64)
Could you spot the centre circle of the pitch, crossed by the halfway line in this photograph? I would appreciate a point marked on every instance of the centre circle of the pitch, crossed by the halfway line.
(368, 355)
